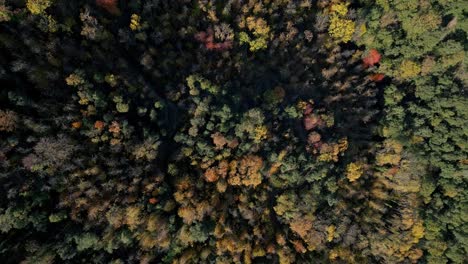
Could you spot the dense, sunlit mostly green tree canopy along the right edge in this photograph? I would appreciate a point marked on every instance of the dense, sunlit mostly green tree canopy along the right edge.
(425, 107)
